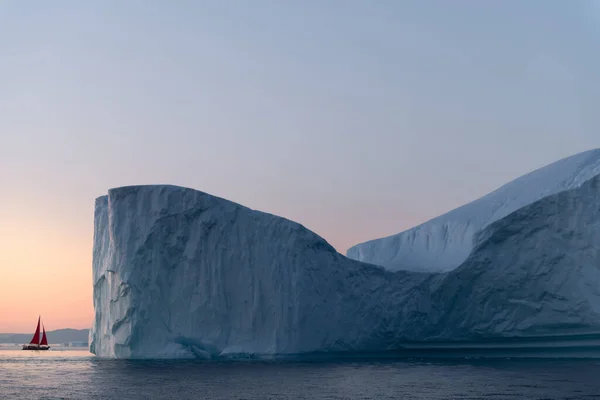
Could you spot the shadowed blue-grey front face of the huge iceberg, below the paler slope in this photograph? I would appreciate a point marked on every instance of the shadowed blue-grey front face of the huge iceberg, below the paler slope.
(181, 273)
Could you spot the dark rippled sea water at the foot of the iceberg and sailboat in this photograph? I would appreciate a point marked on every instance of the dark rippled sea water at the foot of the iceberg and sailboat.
(70, 373)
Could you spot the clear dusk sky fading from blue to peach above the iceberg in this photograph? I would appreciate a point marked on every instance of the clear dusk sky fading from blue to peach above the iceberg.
(358, 119)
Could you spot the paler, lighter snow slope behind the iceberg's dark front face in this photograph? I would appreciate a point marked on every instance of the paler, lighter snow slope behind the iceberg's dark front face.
(445, 242)
